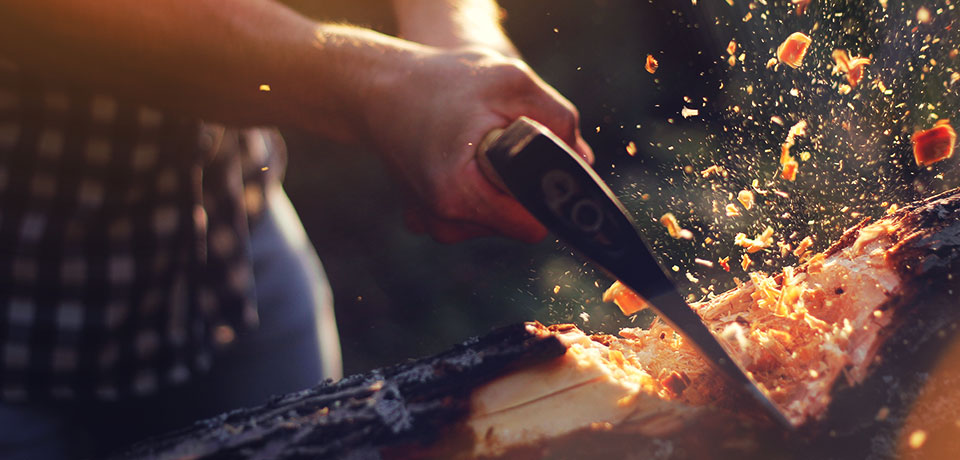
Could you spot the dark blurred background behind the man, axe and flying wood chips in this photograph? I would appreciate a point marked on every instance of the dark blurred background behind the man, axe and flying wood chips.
(401, 296)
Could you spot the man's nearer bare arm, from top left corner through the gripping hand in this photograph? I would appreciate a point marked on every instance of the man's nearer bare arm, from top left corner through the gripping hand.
(423, 108)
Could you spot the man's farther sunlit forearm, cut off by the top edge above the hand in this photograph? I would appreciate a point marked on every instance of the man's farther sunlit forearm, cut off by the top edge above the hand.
(453, 23)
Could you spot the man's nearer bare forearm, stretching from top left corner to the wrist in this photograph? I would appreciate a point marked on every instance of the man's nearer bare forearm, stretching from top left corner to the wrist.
(207, 57)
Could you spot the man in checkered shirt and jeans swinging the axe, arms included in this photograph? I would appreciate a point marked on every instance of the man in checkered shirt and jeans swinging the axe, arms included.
(135, 240)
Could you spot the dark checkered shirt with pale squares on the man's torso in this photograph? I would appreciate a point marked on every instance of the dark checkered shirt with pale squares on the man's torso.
(124, 249)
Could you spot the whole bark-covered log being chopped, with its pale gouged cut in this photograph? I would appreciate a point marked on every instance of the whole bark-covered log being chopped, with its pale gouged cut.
(858, 345)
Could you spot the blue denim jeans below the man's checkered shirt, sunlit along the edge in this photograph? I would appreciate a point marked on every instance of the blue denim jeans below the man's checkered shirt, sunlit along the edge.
(295, 347)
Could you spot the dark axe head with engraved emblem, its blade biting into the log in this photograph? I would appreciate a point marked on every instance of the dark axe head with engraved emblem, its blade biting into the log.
(567, 196)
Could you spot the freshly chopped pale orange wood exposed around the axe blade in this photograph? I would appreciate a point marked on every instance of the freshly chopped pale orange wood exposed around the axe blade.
(809, 336)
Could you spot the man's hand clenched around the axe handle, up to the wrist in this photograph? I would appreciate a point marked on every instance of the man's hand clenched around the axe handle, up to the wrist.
(429, 120)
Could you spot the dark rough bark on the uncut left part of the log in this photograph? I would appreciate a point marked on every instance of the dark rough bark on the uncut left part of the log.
(410, 404)
